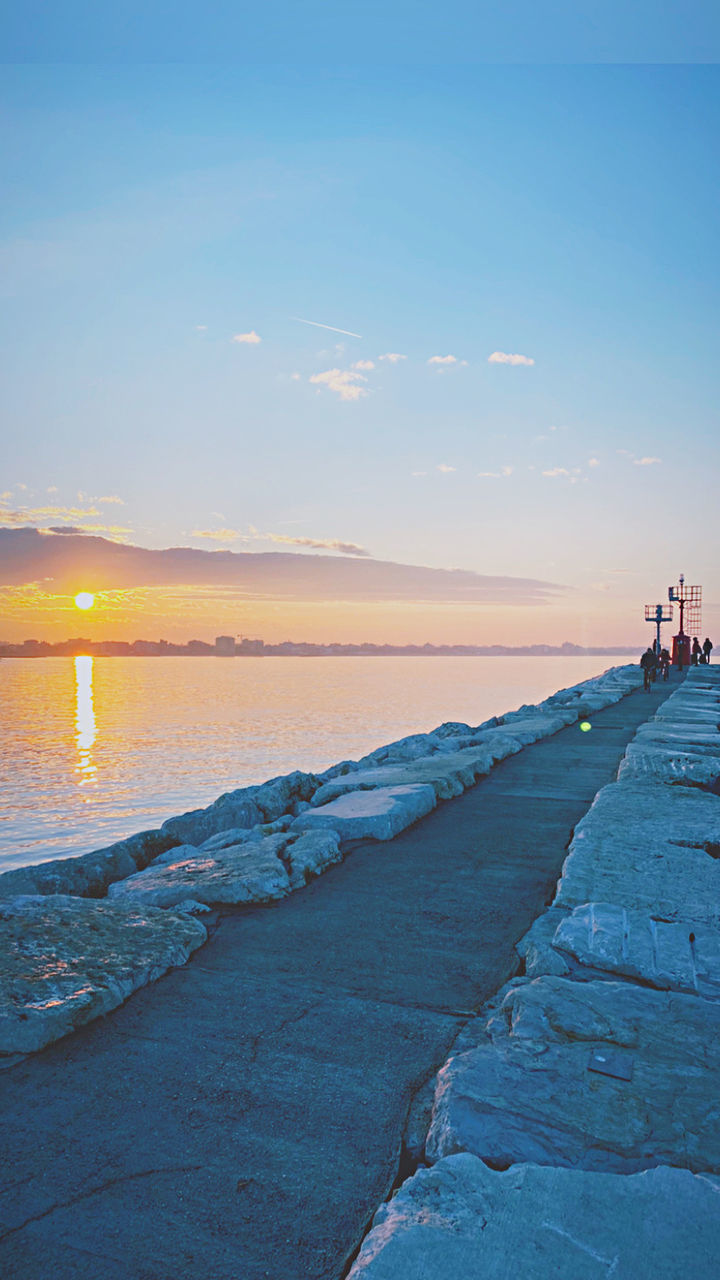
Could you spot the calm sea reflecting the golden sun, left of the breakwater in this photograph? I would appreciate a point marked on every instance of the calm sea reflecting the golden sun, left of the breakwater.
(95, 749)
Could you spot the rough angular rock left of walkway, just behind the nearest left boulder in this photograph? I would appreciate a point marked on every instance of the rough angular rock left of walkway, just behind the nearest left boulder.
(250, 872)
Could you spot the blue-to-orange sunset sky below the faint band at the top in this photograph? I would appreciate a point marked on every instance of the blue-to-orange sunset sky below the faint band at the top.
(359, 327)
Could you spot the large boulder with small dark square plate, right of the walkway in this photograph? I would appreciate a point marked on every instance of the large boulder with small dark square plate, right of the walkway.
(598, 1076)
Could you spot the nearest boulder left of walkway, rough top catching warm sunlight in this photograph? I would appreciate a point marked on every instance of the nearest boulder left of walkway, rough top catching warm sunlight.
(67, 961)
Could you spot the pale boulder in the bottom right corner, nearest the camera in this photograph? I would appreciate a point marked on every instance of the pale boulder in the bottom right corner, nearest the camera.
(462, 1220)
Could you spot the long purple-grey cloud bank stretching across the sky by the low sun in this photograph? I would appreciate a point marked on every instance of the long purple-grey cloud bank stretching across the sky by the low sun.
(29, 556)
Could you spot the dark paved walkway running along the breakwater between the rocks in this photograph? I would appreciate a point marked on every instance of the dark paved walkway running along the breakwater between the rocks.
(243, 1118)
